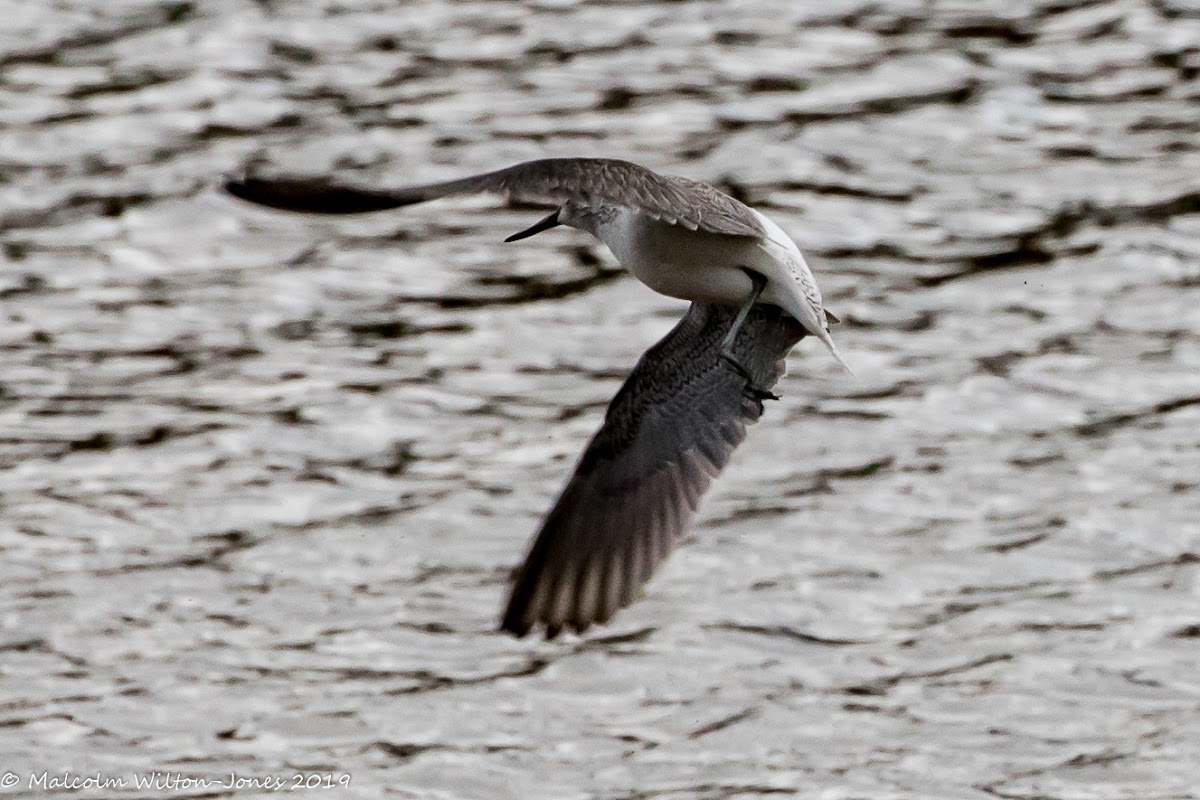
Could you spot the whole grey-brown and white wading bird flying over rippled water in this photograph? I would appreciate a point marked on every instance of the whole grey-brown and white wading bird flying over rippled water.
(675, 423)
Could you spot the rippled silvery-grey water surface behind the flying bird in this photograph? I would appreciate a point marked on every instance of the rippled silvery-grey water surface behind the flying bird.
(263, 478)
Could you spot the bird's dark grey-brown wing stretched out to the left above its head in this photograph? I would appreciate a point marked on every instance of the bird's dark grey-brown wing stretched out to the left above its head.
(547, 182)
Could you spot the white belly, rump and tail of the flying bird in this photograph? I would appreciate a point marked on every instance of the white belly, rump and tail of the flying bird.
(711, 268)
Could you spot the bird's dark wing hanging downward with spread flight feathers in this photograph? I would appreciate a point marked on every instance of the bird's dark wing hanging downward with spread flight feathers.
(668, 434)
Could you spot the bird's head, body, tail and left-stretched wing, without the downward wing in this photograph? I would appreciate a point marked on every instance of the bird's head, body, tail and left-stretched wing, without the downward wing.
(681, 238)
